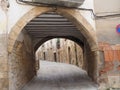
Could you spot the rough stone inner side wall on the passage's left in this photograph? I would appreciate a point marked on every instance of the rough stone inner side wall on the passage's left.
(21, 62)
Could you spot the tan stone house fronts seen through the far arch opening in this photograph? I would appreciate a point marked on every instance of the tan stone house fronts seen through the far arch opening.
(61, 50)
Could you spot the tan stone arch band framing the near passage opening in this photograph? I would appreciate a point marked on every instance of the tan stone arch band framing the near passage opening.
(75, 17)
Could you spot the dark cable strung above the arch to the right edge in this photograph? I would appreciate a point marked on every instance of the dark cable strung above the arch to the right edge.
(54, 5)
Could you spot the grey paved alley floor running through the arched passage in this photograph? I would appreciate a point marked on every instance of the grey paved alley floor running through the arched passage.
(60, 76)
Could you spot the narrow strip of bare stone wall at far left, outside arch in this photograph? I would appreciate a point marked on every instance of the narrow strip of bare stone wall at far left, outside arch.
(3, 63)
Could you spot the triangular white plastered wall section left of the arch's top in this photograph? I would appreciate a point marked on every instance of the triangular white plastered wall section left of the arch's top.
(16, 11)
